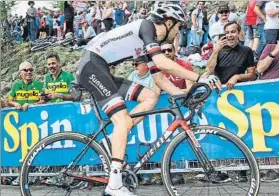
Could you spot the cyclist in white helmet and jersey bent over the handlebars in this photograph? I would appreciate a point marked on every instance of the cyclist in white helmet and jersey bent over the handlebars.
(130, 41)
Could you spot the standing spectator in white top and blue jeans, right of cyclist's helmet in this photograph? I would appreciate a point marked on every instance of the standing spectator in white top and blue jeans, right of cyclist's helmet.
(197, 24)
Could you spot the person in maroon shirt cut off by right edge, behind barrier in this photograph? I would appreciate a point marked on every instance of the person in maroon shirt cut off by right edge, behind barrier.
(268, 65)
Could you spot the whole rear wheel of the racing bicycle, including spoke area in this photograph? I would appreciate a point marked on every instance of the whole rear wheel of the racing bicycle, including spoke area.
(54, 154)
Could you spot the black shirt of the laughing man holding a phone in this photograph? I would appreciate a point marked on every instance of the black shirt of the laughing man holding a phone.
(231, 61)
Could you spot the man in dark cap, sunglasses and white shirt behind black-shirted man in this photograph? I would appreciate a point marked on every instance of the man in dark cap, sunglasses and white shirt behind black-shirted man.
(218, 27)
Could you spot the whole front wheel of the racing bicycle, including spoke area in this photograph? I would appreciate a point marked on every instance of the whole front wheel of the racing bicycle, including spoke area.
(235, 169)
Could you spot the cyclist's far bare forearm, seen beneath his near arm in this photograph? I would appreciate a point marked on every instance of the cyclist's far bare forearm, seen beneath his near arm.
(165, 84)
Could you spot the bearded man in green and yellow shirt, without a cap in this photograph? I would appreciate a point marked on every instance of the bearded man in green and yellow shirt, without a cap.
(57, 82)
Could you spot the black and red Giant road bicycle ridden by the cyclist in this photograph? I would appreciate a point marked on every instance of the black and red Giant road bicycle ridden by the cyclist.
(191, 154)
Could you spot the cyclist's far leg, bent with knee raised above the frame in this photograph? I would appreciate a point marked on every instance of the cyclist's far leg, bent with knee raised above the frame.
(136, 92)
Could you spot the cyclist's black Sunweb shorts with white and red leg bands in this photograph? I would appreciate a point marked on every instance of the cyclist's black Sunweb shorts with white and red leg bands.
(110, 91)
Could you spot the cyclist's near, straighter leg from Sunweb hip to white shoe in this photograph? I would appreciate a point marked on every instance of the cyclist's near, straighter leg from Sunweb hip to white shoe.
(93, 74)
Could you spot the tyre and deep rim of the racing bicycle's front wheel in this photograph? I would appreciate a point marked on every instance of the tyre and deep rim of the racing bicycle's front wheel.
(166, 161)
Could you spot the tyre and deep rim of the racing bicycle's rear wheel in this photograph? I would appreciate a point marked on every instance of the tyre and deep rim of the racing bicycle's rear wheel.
(24, 186)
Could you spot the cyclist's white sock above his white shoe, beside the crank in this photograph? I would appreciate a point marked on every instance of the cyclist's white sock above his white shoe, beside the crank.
(115, 180)
